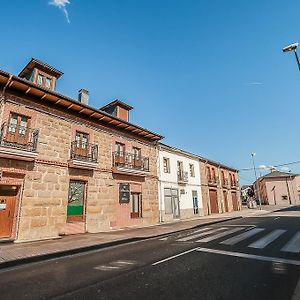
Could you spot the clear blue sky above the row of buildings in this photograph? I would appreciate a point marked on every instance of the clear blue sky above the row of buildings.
(208, 75)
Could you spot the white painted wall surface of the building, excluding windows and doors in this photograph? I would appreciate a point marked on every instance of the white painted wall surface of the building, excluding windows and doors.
(169, 180)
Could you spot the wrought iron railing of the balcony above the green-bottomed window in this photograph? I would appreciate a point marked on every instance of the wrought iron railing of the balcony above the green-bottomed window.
(84, 151)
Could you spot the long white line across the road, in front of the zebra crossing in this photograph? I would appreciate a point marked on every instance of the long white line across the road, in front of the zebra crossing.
(251, 256)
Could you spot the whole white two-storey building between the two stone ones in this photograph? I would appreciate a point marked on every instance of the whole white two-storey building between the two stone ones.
(179, 182)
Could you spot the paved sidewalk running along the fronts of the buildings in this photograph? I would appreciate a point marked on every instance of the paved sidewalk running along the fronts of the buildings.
(14, 253)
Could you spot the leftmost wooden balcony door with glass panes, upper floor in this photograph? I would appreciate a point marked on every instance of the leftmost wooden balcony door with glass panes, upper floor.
(17, 130)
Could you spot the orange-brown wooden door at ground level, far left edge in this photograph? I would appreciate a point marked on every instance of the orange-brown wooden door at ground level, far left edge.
(7, 209)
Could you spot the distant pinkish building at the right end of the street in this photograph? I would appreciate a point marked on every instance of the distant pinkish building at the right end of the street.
(277, 188)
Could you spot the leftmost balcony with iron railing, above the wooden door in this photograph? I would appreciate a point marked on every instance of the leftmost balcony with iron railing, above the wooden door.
(18, 142)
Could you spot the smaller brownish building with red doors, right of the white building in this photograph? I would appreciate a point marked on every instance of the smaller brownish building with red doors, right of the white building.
(220, 187)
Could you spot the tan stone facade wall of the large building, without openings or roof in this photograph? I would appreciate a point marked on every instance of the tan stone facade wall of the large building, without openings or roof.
(43, 183)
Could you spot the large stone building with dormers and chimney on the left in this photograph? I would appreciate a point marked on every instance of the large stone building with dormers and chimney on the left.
(66, 167)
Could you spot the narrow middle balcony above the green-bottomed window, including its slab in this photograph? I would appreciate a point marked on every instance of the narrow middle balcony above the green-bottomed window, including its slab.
(83, 155)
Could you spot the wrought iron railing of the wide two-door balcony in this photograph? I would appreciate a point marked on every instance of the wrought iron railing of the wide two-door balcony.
(130, 161)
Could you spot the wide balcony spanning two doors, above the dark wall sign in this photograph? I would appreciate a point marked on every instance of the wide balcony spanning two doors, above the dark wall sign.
(128, 163)
